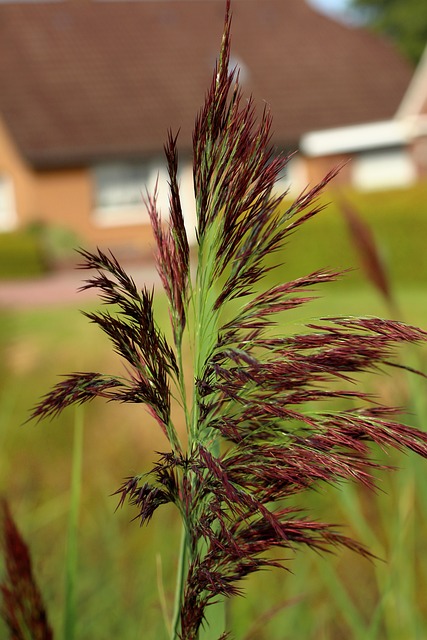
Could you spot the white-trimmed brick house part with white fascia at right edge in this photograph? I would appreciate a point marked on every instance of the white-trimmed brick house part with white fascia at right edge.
(384, 154)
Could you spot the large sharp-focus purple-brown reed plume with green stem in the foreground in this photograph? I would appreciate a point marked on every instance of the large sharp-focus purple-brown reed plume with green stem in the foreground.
(272, 414)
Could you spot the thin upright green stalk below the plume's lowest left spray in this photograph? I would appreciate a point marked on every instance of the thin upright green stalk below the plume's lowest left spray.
(70, 616)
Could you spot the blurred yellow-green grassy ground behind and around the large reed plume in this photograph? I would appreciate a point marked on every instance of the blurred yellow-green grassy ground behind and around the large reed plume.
(123, 569)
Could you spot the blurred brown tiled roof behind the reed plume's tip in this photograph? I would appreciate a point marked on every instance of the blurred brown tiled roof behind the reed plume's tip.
(86, 80)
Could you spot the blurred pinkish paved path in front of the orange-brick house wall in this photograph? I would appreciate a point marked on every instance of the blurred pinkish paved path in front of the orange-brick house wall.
(61, 288)
